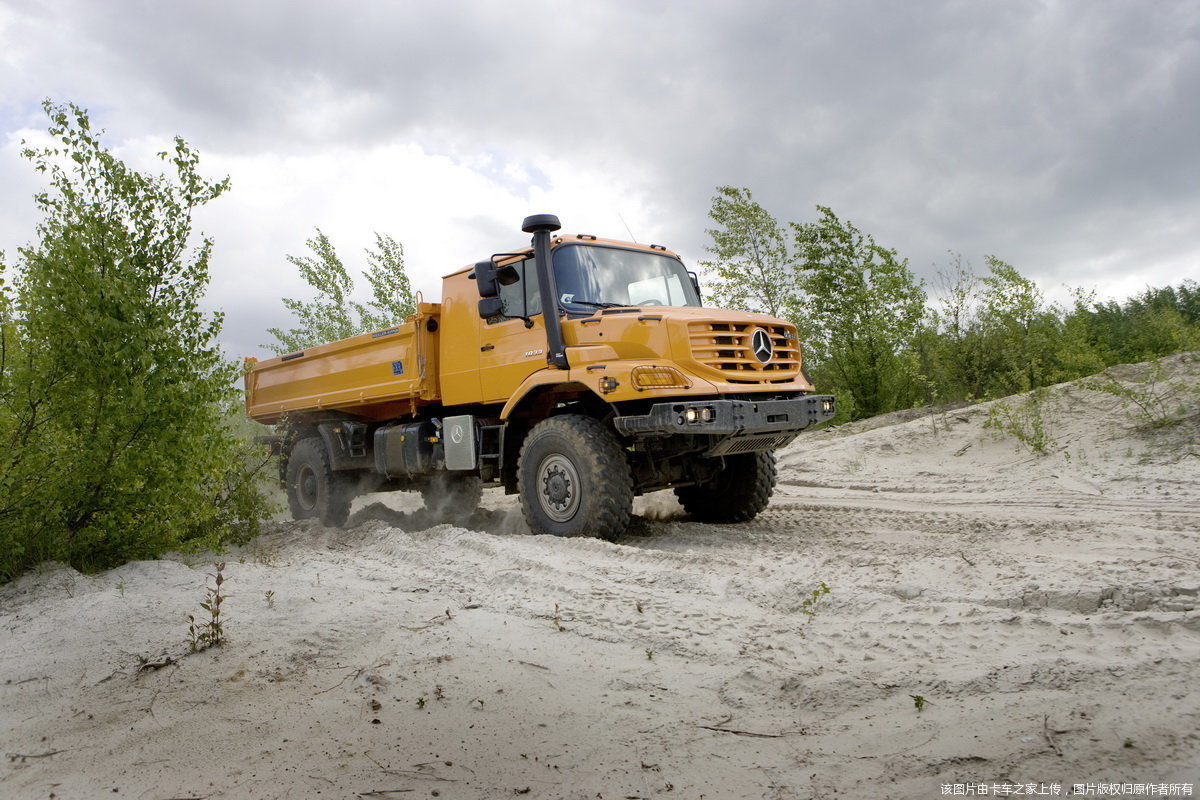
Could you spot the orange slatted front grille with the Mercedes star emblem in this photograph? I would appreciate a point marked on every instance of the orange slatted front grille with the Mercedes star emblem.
(727, 350)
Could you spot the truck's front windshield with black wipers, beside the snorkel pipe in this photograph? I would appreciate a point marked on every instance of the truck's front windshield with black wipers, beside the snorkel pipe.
(590, 278)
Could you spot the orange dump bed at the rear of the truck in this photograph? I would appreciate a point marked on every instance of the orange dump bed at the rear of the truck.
(374, 376)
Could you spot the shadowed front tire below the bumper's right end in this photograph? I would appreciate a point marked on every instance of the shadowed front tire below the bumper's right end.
(737, 495)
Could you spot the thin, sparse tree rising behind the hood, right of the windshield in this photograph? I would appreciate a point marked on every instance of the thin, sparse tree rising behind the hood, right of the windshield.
(753, 266)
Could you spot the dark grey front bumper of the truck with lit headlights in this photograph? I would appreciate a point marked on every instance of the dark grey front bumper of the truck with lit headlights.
(733, 426)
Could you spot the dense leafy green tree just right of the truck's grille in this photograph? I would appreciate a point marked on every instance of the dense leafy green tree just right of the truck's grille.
(860, 312)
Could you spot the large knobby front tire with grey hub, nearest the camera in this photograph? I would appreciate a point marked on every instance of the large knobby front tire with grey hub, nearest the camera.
(575, 479)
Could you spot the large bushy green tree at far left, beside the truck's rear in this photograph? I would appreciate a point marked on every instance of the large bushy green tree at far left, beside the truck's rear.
(115, 389)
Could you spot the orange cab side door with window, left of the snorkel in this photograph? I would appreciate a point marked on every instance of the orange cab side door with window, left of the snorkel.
(508, 351)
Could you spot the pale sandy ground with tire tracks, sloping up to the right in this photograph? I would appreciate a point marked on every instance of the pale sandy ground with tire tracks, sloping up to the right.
(1046, 609)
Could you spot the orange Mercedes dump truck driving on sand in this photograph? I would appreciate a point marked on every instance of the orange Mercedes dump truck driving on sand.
(629, 387)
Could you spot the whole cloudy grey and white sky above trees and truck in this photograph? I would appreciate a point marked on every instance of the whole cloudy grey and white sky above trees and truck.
(1063, 137)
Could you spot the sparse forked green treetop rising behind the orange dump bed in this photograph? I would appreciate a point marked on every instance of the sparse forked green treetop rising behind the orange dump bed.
(334, 315)
